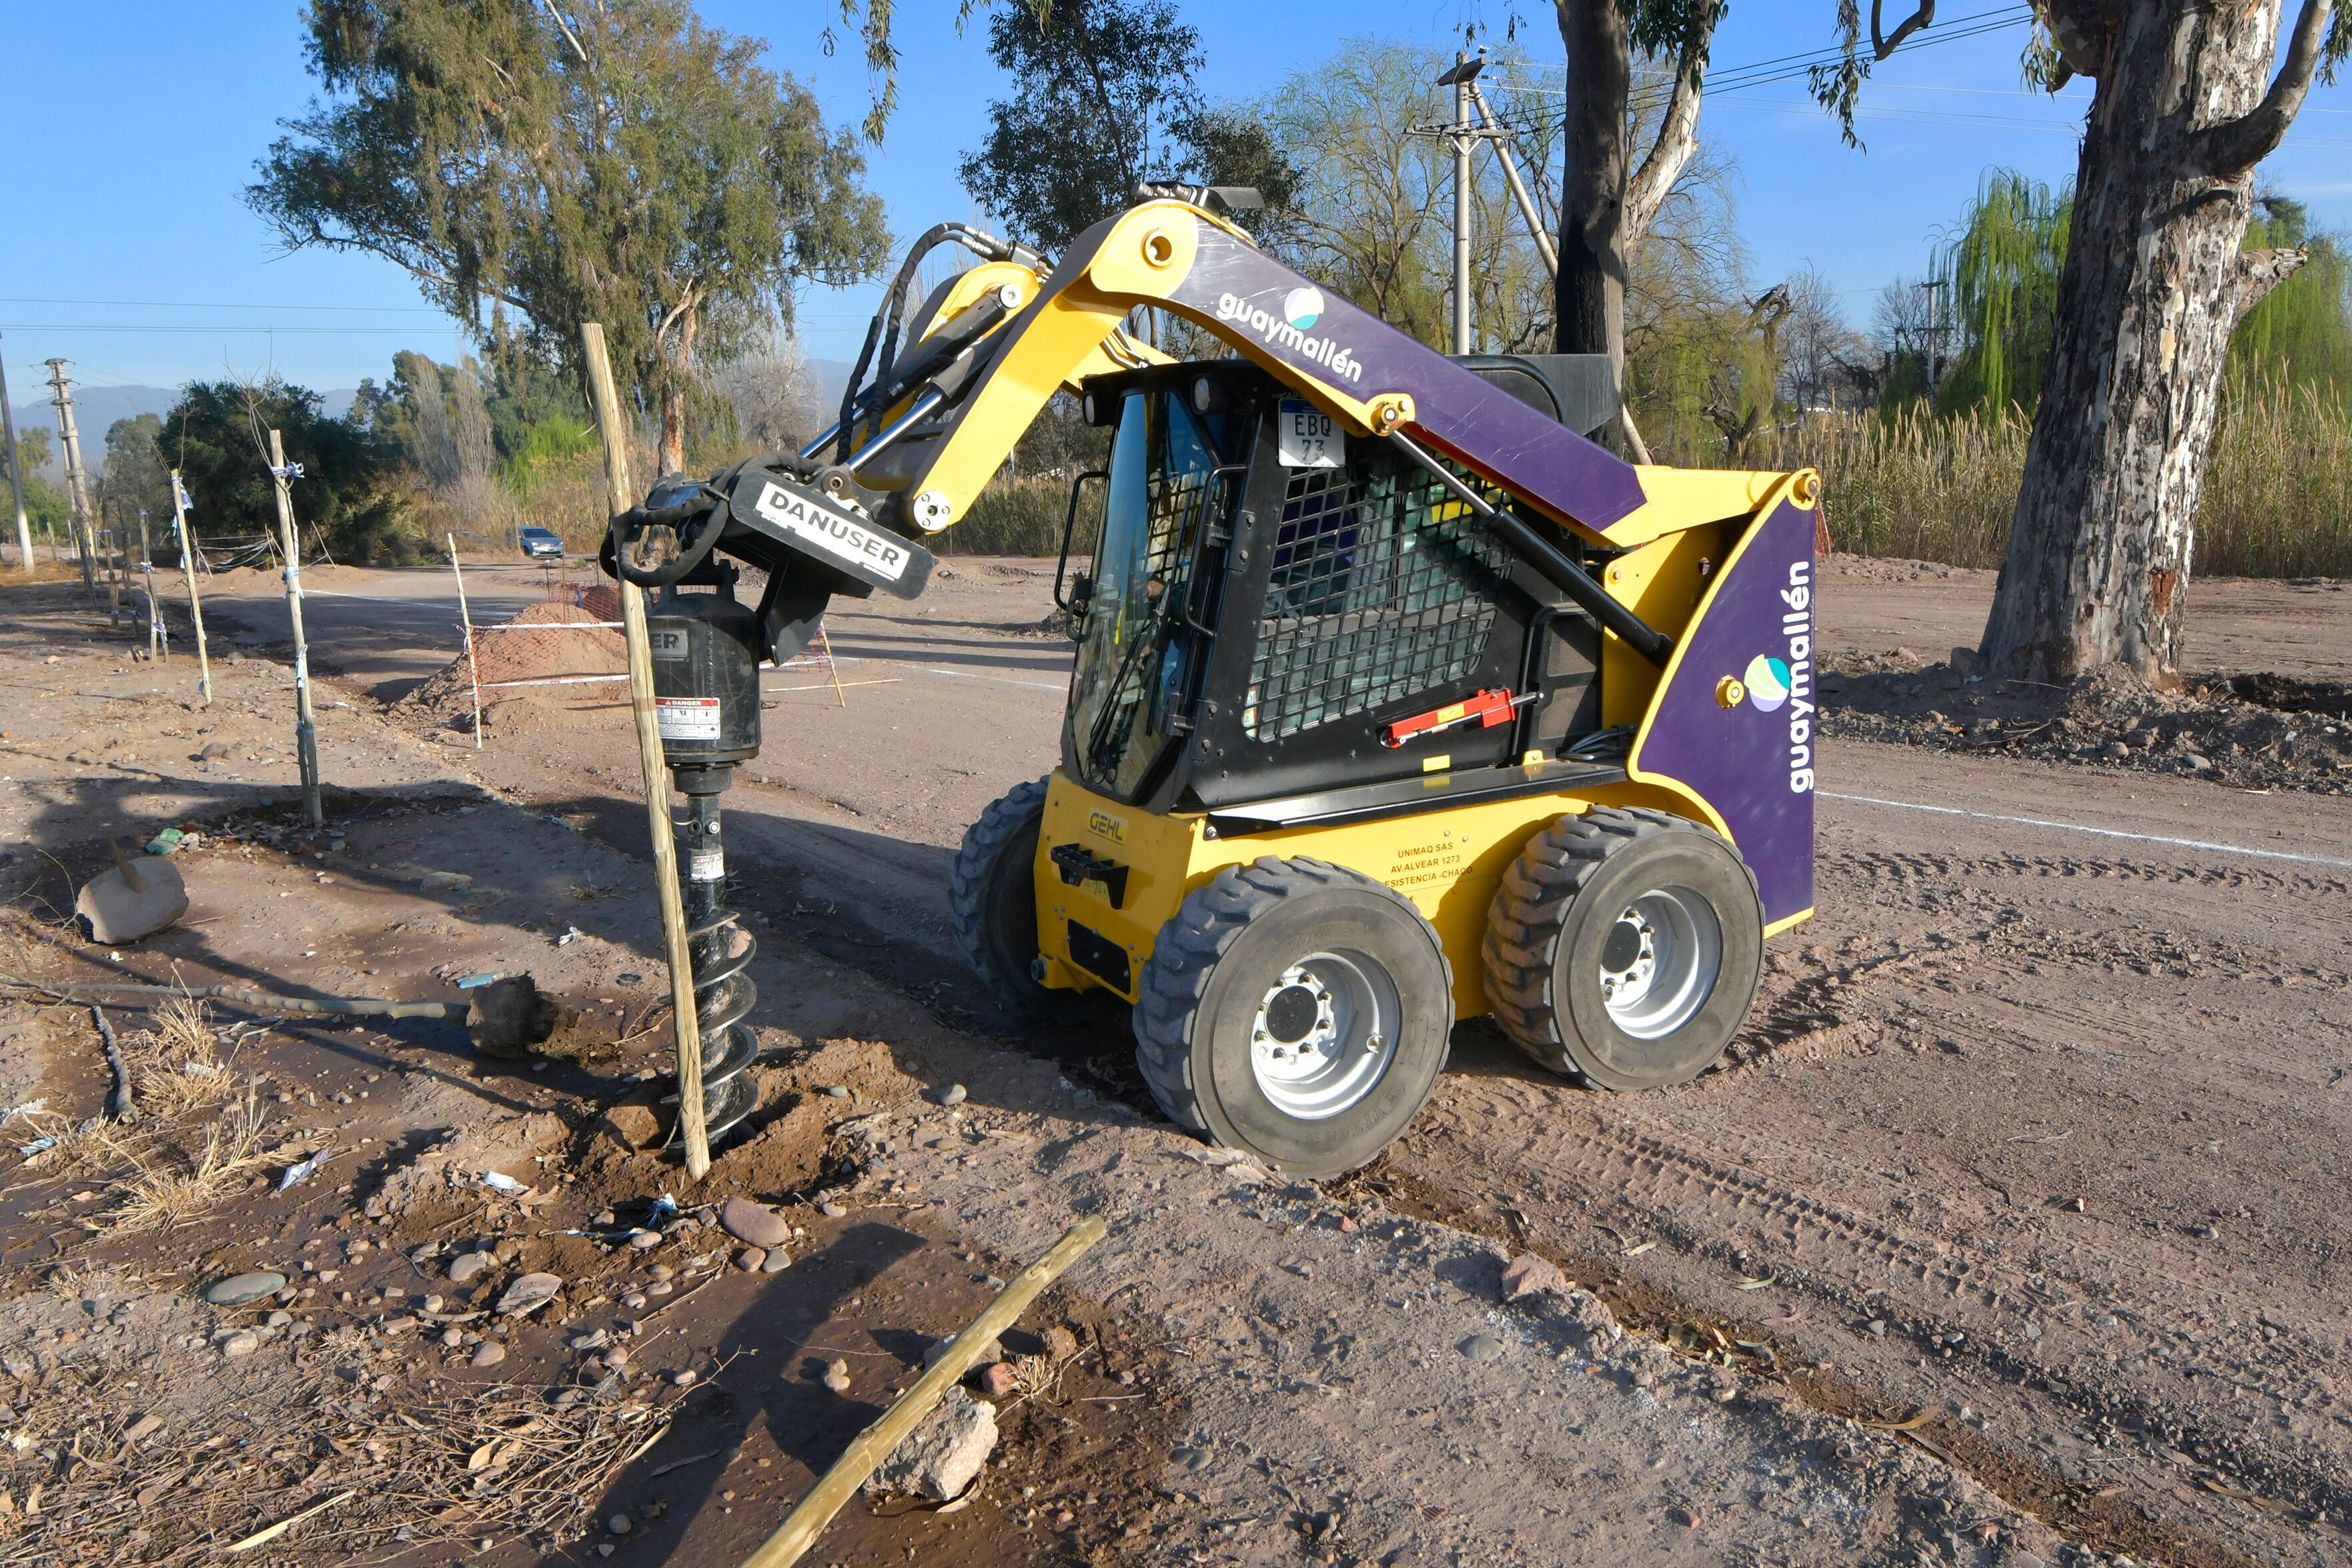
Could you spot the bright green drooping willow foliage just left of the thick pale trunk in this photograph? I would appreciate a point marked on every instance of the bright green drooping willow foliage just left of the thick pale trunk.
(2000, 281)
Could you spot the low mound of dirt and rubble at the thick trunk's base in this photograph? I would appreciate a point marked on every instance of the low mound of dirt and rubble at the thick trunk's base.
(2252, 730)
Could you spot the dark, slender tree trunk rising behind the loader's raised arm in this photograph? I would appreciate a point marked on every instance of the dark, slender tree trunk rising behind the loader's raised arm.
(1591, 288)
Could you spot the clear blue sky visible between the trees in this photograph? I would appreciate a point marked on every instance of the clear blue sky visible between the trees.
(131, 253)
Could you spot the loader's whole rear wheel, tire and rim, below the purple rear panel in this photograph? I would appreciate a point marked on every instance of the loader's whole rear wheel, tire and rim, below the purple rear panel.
(1624, 949)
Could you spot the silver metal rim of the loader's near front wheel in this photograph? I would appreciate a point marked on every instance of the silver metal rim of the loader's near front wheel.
(1323, 1036)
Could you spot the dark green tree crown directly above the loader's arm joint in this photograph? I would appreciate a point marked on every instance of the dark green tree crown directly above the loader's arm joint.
(1102, 98)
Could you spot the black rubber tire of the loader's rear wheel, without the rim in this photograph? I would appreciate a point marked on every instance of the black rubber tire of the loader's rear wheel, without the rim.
(1553, 916)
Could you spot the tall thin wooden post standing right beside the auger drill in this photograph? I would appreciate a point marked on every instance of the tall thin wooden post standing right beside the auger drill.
(657, 779)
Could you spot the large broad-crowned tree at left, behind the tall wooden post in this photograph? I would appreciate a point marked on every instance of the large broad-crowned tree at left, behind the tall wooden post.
(537, 168)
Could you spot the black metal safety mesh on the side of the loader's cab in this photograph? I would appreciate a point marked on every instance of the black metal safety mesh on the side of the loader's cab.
(1382, 587)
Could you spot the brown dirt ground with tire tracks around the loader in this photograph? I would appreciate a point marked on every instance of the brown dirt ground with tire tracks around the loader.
(2007, 1235)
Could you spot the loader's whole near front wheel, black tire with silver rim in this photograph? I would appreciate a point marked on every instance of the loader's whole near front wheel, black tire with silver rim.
(1297, 1012)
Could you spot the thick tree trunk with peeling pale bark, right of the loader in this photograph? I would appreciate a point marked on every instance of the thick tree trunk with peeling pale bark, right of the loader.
(2153, 283)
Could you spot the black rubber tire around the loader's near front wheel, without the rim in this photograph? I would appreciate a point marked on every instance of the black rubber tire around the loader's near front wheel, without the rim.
(1212, 967)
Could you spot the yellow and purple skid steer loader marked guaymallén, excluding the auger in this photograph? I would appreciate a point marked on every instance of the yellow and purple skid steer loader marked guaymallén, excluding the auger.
(1396, 697)
